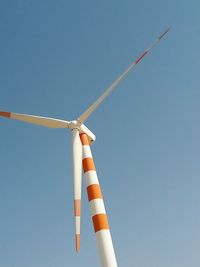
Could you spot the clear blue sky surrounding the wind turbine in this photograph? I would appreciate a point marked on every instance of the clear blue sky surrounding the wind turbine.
(56, 58)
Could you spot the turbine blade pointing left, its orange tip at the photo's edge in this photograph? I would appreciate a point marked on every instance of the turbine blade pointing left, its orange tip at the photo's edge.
(43, 121)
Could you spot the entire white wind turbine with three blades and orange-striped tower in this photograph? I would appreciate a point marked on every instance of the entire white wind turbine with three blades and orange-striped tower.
(82, 138)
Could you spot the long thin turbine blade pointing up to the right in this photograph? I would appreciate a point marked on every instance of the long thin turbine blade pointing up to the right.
(95, 105)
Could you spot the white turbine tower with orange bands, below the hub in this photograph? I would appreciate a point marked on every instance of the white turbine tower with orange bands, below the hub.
(99, 217)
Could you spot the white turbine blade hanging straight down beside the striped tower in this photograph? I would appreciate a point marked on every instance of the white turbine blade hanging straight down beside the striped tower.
(77, 170)
